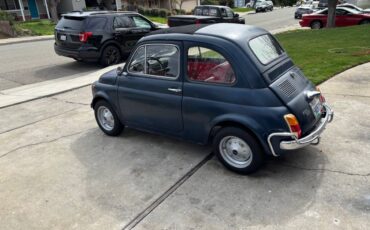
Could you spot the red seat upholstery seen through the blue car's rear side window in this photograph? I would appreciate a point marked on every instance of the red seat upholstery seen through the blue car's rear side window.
(209, 71)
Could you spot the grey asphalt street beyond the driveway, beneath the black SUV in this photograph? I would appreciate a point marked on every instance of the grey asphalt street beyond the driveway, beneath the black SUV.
(27, 63)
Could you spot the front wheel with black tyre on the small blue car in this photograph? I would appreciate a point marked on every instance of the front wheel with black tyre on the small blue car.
(107, 118)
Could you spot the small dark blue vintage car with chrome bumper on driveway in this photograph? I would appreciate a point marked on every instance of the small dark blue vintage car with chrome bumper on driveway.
(227, 84)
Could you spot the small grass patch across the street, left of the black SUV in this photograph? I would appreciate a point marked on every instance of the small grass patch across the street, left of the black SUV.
(37, 27)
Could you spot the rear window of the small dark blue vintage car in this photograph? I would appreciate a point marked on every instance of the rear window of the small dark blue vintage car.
(266, 48)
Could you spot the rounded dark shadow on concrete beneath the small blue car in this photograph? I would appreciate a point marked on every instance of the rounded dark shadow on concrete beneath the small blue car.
(125, 174)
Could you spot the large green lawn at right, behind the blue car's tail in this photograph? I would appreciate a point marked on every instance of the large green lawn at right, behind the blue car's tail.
(323, 53)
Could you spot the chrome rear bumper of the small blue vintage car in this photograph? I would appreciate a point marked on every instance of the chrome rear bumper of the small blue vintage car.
(312, 138)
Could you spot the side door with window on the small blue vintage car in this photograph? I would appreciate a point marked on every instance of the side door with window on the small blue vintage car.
(150, 88)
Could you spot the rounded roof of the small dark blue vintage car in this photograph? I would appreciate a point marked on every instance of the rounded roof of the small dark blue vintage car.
(228, 31)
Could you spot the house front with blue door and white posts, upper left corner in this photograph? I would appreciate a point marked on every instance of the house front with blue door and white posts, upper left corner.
(26, 9)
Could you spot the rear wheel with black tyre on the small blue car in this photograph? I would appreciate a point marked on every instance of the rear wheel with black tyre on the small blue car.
(238, 150)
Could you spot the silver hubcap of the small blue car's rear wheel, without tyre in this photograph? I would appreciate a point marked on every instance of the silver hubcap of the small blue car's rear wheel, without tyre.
(235, 151)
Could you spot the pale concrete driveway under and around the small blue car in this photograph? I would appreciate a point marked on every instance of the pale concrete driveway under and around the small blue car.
(59, 171)
